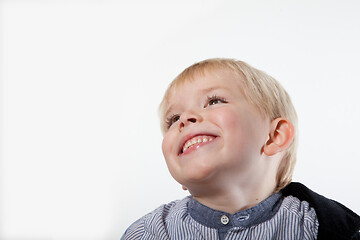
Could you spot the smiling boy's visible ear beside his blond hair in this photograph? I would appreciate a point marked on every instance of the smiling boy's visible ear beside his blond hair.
(280, 137)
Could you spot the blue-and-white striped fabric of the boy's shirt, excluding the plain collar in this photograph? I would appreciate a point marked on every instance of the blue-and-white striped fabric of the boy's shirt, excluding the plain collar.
(293, 220)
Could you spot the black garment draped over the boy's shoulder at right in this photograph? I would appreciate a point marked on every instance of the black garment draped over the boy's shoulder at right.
(335, 220)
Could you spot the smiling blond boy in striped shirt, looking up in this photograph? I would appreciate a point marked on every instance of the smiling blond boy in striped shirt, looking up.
(230, 137)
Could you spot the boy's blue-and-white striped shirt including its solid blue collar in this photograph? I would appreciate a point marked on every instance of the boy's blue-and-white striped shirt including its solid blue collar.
(274, 218)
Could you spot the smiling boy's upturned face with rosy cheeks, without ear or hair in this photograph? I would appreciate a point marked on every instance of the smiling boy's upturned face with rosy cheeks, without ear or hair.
(214, 134)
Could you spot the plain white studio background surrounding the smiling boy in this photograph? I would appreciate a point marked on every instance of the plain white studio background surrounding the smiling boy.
(82, 80)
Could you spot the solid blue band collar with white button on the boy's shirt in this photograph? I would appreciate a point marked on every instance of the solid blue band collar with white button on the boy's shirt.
(245, 218)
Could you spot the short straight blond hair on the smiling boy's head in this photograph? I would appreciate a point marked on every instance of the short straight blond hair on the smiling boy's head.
(260, 89)
